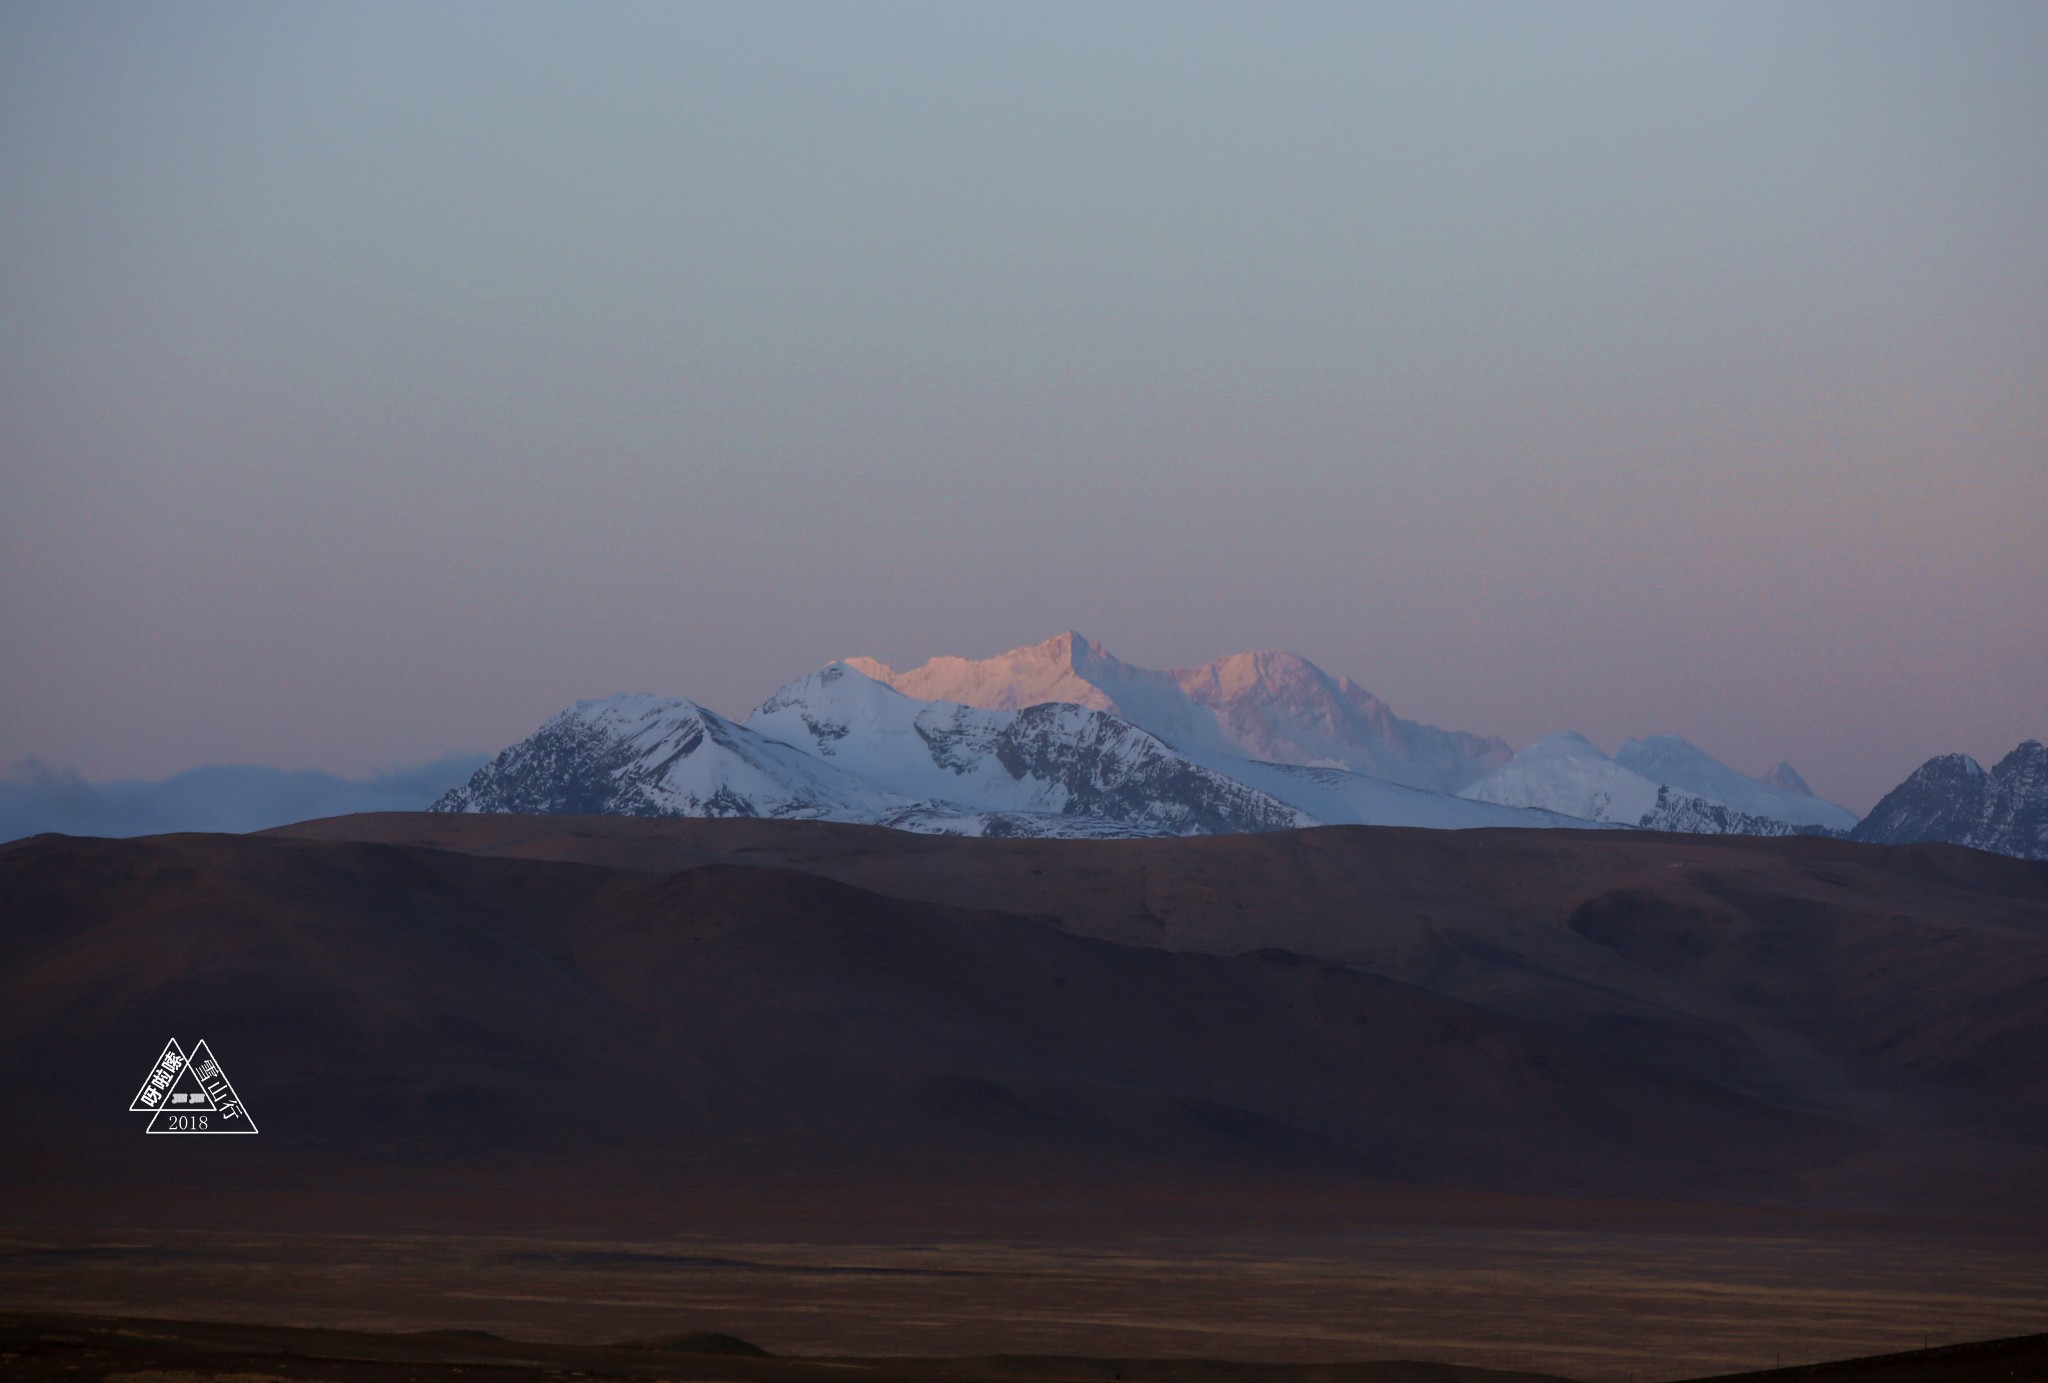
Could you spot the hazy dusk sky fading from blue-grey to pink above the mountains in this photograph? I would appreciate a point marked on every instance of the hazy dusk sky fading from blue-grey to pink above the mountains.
(378, 380)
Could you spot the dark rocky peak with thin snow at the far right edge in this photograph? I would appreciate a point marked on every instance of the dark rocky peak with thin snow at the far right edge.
(1951, 798)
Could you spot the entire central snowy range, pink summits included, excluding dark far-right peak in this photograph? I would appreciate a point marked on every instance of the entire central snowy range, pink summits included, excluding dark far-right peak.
(1062, 739)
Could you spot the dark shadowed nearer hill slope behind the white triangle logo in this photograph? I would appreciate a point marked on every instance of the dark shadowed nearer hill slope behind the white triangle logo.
(390, 1009)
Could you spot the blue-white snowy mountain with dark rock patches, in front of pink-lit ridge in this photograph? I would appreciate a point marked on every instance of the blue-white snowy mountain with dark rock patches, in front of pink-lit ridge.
(843, 747)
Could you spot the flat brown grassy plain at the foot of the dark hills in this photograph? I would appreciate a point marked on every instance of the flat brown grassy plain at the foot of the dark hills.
(1584, 1304)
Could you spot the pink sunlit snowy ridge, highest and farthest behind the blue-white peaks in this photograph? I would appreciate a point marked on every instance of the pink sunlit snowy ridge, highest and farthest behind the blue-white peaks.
(1269, 706)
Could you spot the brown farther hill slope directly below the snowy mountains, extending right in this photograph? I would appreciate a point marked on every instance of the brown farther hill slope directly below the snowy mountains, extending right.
(1904, 991)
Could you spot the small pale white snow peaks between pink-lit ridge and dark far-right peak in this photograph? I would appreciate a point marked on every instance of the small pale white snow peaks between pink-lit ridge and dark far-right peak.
(1660, 784)
